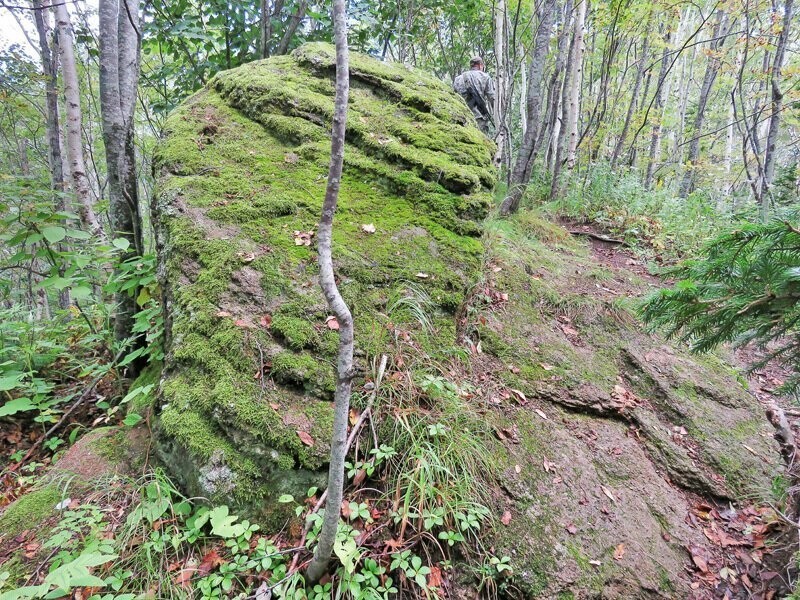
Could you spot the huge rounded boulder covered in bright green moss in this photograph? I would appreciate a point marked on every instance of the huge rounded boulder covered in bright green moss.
(242, 172)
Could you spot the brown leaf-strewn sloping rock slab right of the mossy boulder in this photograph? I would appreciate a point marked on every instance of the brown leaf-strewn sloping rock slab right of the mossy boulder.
(633, 469)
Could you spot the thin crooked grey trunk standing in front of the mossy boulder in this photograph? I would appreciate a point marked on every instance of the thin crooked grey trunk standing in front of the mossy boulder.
(344, 363)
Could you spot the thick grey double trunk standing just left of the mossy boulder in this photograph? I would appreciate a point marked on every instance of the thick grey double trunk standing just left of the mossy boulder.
(120, 41)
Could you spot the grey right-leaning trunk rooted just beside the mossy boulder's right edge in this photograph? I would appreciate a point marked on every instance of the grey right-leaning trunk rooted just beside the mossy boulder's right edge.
(521, 174)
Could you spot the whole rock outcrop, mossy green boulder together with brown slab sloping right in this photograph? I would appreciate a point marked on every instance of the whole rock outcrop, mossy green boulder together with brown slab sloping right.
(602, 436)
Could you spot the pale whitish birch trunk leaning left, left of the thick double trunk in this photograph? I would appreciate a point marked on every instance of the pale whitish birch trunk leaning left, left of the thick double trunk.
(77, 165)
